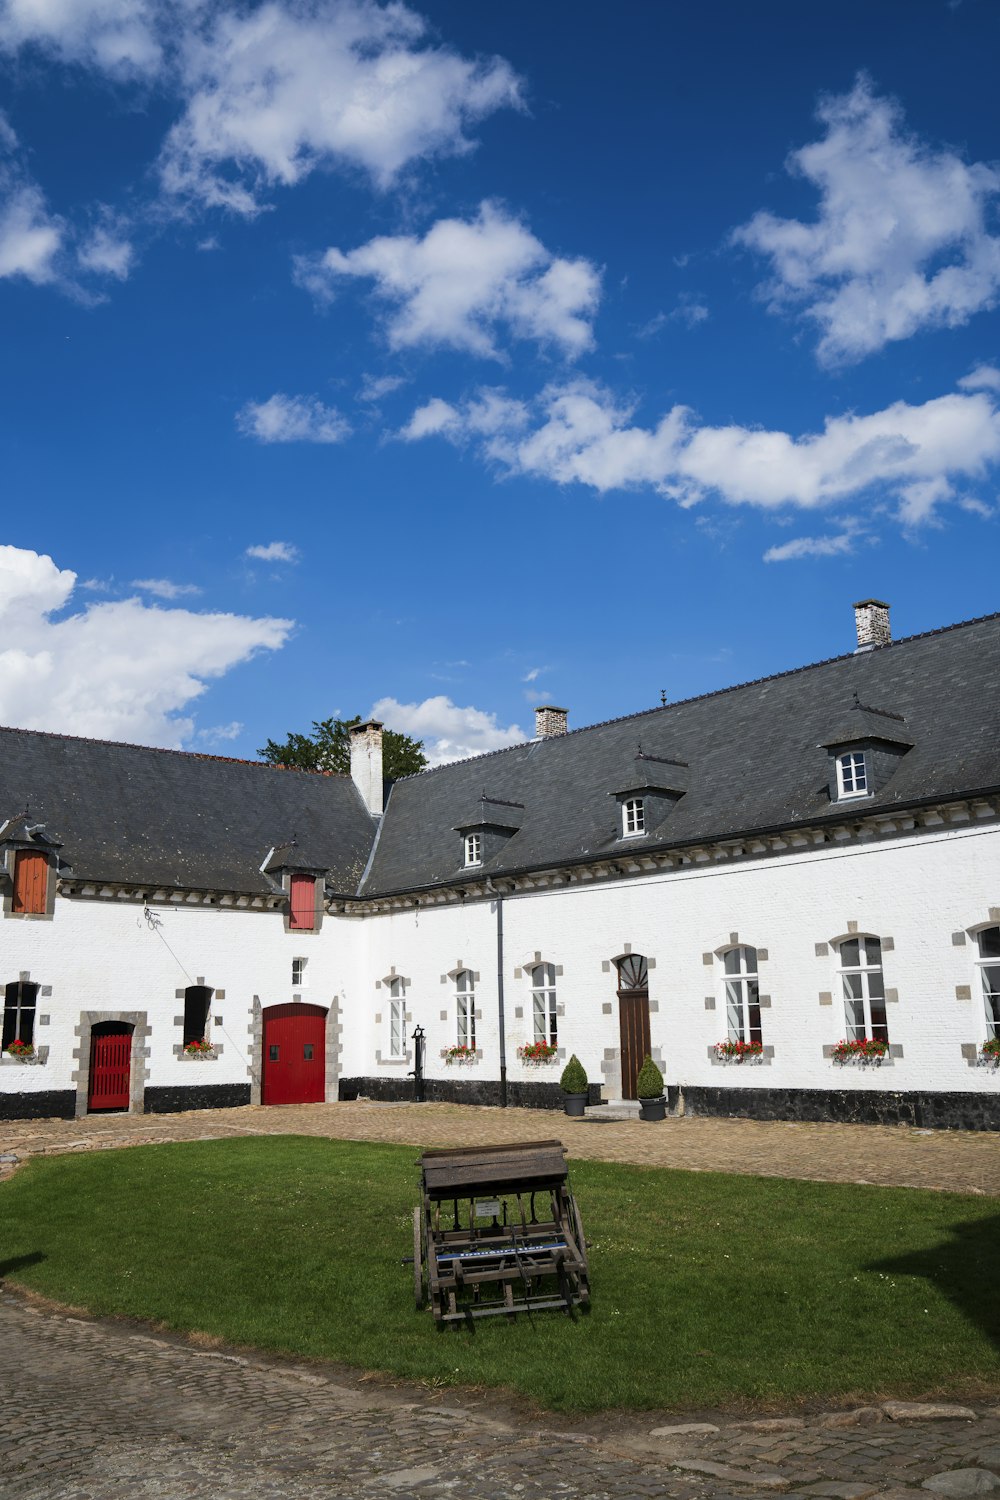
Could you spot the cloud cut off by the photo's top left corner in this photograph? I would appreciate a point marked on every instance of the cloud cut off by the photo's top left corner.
(115, 37)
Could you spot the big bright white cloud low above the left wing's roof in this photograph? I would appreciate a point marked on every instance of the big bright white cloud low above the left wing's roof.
(118, 671)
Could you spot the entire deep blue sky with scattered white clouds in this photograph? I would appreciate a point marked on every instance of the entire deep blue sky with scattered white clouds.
(445, 361)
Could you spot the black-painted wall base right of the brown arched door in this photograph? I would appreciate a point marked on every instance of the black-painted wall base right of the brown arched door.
(849, 1106)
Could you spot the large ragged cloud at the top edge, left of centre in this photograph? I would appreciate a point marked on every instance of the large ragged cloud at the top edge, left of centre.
(281, 91)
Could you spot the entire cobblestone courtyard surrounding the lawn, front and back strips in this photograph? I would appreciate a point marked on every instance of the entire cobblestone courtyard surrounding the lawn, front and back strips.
(98, 1412)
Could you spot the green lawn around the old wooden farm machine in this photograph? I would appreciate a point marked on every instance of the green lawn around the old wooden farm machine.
(708, 1289)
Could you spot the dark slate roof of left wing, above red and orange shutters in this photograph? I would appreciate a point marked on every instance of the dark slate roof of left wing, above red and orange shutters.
(148, 817)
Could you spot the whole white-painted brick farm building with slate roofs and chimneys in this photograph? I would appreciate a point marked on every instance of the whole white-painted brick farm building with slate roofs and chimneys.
(743, 884)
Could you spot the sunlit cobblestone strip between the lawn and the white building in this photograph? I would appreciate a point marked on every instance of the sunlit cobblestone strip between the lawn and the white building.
(962, 1162)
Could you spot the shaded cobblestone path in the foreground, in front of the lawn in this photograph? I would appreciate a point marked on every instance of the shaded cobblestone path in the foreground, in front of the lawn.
(97, 1412)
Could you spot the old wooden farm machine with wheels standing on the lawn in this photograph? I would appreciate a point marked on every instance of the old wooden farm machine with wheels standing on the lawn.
(499, 1231)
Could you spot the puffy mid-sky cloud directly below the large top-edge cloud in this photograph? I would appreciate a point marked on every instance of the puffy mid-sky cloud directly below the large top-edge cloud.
(466, 281)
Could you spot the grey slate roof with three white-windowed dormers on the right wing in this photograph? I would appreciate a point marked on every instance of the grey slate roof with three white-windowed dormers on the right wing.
(755, 754)
